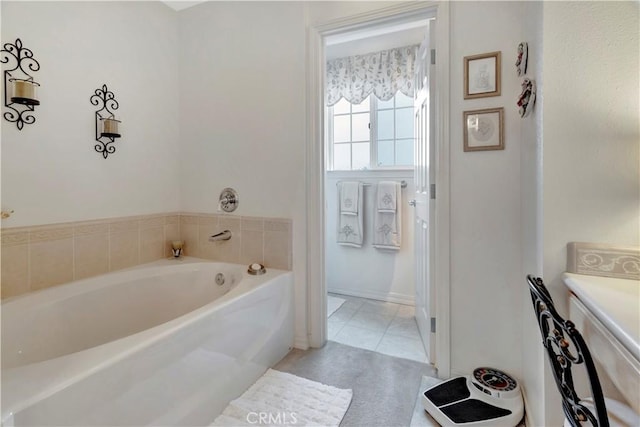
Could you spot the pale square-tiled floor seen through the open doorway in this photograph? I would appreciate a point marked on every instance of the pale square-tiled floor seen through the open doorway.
(383, 327)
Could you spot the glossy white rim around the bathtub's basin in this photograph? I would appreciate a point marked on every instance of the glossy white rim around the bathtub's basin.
(37, 381)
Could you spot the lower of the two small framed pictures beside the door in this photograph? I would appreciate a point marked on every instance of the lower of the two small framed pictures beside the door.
(483, 129)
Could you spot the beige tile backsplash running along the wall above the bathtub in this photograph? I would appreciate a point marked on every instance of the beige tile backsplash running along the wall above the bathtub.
(42, 256)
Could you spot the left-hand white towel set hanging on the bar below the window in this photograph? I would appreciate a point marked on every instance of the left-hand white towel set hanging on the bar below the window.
(350, 219)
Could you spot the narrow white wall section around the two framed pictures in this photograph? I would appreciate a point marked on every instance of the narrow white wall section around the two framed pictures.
(486, 224)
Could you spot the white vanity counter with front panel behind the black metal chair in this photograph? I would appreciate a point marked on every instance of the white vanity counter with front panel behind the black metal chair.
(606, 311)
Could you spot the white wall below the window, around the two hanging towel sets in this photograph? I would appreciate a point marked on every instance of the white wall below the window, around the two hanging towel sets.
(369, 272)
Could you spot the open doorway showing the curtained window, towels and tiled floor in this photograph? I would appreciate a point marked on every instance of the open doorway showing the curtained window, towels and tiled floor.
(369, 142)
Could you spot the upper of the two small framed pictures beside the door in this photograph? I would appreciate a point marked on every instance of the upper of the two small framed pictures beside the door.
(482, 75)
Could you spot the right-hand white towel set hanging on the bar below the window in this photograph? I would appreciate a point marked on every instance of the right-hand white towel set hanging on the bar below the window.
(387, 221)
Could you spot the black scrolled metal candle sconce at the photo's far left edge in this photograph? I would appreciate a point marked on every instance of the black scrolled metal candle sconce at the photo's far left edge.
(20, 96)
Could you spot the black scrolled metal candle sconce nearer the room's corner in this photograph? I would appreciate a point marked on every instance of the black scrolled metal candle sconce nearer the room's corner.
(107, 127)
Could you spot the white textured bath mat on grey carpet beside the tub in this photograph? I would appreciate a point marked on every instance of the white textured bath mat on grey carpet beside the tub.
(282, 399)
